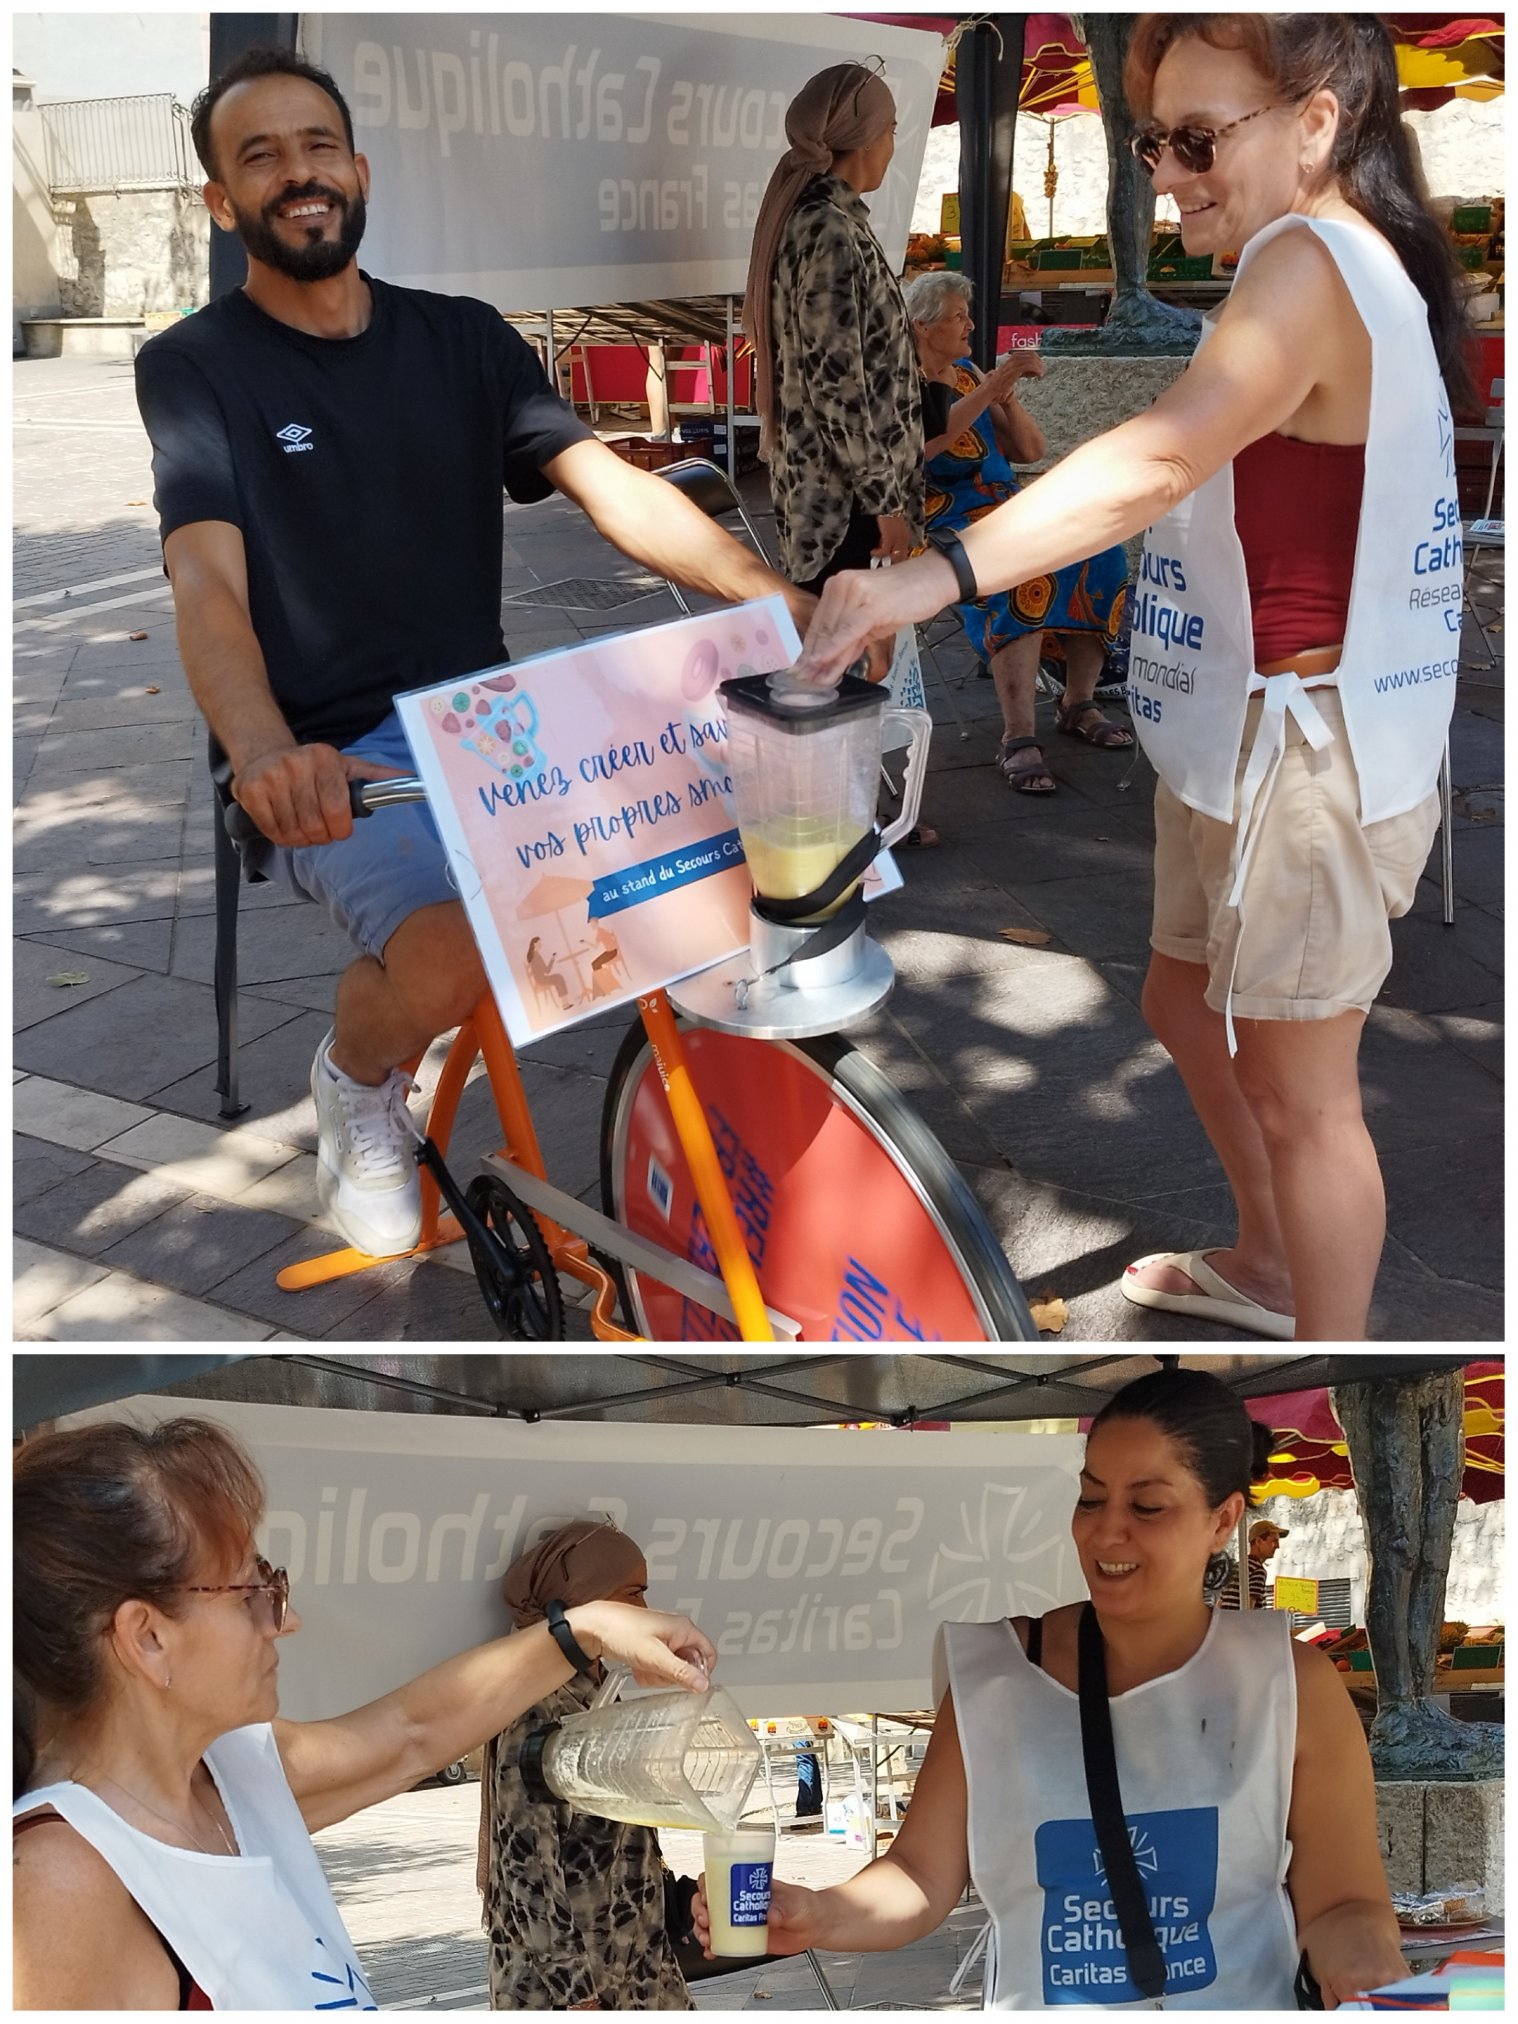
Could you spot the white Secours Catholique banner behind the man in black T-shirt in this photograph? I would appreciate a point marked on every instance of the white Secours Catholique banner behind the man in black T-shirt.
(552, 161)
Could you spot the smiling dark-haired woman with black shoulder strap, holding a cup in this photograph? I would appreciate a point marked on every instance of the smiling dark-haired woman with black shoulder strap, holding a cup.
(1240, 1776)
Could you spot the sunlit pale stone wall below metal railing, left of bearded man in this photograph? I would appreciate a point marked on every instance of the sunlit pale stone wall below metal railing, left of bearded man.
(143, 250)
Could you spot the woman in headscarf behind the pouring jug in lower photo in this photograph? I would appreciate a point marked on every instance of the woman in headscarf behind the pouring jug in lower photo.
(574, 1904)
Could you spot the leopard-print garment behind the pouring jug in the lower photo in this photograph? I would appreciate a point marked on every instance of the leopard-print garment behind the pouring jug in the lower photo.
(574, 1904)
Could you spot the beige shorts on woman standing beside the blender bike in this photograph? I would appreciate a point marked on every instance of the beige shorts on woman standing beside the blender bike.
(1319, 896)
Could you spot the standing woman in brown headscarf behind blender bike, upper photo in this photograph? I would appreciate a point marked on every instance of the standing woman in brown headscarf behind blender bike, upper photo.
(841, 418)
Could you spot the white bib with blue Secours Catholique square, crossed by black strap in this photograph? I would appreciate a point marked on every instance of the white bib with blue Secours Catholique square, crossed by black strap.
(1205, 1770)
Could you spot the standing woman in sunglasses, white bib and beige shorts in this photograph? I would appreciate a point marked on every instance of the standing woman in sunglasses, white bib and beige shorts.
(1296, 626)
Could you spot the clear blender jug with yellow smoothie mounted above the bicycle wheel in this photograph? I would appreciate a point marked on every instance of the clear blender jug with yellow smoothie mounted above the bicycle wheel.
(807, 776)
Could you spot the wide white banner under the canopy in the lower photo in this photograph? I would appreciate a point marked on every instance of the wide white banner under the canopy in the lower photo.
(819, 1562)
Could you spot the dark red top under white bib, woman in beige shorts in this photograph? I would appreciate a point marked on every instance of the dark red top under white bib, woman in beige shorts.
(1296, 509)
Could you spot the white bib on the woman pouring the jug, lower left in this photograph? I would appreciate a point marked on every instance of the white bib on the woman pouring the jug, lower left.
(256, 1932)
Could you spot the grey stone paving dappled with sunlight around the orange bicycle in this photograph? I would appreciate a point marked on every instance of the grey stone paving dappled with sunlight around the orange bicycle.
(141, 1215)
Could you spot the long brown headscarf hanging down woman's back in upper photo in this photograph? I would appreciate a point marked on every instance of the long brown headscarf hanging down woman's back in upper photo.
(835, 112)
